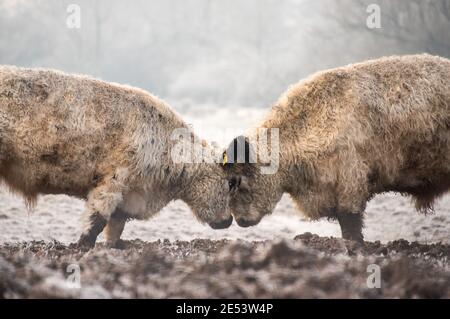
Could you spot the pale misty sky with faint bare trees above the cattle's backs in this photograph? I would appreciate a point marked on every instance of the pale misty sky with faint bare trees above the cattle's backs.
(227, 53)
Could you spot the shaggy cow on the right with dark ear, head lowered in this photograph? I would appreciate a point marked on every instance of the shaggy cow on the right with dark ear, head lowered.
(347, 134)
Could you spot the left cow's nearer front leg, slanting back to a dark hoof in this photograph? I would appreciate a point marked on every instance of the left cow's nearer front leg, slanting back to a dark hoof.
(102, 202)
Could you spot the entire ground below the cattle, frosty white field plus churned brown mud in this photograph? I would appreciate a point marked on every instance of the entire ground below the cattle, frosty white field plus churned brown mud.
(165, 257)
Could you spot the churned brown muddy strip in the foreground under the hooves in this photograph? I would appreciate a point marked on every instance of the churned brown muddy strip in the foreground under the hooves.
(308, 266)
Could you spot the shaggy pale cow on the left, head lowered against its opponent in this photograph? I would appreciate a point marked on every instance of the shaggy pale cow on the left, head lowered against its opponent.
(107, 143)
